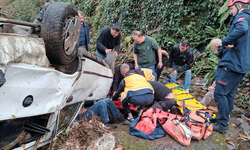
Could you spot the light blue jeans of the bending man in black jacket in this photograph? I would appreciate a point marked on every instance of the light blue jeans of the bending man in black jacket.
(187, 77)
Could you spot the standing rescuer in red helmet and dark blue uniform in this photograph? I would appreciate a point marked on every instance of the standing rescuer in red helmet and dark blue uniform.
(234, 63)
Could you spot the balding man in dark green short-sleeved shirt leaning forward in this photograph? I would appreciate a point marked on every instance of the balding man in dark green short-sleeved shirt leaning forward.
(144, 51)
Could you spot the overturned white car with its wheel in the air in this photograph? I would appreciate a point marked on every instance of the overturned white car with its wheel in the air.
(47, 79)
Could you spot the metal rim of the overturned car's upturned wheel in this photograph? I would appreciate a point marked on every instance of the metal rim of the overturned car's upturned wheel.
(71, 34)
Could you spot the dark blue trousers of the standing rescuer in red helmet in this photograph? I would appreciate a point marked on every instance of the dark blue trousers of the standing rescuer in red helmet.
(227, 83)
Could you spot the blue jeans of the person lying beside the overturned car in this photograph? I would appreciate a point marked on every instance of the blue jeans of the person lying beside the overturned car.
(101, 109)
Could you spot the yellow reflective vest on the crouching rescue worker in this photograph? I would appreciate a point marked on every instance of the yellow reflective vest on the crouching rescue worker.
(134, 83)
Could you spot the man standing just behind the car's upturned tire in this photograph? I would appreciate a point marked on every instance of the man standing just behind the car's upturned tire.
(84, 33)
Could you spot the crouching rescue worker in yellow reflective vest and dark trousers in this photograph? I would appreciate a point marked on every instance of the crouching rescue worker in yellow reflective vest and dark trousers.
(134, 89)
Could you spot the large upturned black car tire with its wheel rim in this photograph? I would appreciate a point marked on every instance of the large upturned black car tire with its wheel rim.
(60, 29)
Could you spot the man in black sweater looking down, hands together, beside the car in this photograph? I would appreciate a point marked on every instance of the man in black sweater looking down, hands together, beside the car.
(109, 39)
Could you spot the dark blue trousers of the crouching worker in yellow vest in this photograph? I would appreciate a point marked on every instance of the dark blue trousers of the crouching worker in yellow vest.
(138, 100)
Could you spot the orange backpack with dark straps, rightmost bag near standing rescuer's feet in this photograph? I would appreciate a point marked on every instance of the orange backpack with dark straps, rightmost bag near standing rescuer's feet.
(198, 121)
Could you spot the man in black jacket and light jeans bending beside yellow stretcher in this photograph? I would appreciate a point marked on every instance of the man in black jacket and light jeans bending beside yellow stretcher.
(181, 59)
